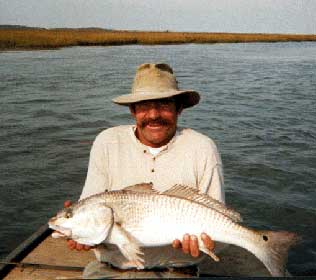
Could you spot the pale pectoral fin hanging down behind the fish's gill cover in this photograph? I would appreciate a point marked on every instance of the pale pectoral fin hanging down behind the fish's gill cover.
(128, 246)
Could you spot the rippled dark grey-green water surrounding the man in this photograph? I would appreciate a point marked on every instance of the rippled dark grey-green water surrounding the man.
(258, 104)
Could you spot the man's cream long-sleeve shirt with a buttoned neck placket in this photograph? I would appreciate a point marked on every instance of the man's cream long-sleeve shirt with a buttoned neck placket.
(118, 160)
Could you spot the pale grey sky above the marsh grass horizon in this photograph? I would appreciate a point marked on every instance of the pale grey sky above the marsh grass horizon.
(250, 16)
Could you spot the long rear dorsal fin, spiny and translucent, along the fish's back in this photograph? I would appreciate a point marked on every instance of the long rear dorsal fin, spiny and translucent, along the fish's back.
(193, 194)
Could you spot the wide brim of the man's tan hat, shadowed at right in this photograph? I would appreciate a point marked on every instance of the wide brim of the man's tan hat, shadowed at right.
(188, 98)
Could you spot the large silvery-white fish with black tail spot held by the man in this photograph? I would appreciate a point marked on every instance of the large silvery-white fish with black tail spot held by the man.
(139, 216)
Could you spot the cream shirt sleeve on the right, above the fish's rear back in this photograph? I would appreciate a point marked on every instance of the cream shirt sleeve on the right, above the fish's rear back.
(212, 181)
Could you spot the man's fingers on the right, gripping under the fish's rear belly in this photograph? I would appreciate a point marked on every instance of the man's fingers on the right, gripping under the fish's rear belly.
(190, 244)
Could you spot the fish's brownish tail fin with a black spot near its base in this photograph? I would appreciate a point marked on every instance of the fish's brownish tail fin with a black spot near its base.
(273, 250)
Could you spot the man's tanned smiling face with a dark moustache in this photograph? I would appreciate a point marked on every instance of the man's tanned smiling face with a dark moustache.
(156, 121)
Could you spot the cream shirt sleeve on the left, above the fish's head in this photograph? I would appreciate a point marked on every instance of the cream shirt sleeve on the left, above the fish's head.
(97, 177)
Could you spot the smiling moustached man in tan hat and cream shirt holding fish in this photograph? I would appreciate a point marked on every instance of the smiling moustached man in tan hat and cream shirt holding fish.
(155, 151)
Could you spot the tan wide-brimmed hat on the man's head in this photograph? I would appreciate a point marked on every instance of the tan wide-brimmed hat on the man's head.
(156, 81)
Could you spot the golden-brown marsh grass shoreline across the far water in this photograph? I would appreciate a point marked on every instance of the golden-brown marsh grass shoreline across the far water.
(30, 39)
